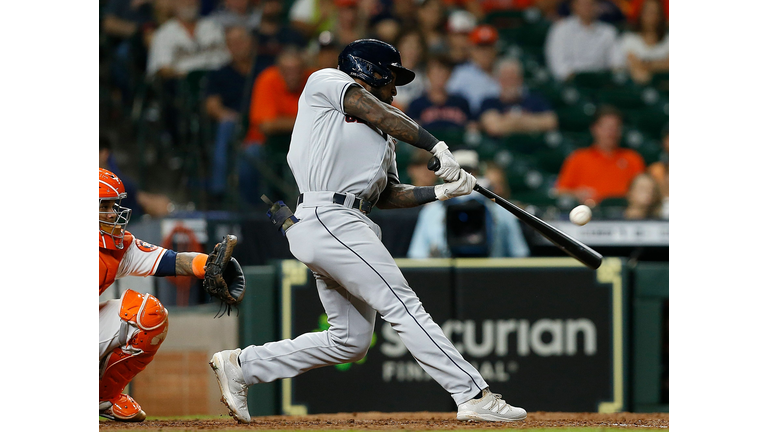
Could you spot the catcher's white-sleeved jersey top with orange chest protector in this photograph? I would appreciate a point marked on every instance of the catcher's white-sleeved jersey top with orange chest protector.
(137, 258)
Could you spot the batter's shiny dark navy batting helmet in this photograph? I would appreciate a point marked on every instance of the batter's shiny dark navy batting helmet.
(364, 58)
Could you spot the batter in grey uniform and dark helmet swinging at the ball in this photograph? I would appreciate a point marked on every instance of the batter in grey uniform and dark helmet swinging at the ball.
(342, 154)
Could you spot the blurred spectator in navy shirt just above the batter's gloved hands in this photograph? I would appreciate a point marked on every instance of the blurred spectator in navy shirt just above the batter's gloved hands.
(438, 110)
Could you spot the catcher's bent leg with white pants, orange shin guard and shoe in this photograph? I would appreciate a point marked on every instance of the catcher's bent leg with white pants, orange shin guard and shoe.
(142, 323)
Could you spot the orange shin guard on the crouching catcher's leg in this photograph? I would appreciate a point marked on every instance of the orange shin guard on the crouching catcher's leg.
(144, 326)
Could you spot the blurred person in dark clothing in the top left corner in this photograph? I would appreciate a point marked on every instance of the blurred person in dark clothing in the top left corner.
(127, 23)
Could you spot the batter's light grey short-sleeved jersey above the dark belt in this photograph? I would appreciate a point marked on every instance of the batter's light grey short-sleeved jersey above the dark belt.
(331, 151)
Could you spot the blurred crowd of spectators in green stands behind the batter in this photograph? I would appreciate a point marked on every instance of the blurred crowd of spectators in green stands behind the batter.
(560, 101)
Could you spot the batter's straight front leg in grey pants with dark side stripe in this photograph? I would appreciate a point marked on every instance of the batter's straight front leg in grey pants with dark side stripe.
(362, 264)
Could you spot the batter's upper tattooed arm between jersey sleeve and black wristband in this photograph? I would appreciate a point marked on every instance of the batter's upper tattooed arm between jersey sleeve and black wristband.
(360, 103)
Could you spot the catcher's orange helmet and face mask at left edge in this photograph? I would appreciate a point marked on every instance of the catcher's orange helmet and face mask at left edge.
(112, 216)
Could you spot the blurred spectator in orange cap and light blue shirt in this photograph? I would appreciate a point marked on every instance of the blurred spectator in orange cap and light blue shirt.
(474, 80)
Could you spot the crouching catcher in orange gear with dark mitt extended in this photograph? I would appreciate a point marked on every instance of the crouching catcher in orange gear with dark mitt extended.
(132, 328)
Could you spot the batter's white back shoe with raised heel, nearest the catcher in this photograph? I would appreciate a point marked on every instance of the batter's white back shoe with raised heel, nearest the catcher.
(234, 391)
